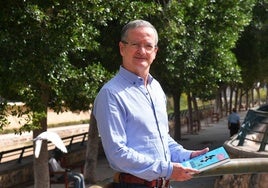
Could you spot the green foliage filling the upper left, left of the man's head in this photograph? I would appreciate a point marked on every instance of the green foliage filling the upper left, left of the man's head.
(56, 53)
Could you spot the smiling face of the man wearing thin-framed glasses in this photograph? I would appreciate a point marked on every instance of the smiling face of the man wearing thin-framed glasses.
(139, 50)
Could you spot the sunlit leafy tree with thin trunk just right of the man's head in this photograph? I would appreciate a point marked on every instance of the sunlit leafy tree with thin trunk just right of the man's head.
(196, 39)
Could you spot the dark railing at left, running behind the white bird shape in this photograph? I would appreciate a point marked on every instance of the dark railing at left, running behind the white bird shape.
(19, 153)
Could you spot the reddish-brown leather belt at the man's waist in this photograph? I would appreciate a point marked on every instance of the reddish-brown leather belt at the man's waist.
(128, 178)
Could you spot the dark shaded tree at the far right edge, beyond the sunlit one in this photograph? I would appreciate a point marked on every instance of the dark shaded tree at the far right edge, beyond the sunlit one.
(251, 50)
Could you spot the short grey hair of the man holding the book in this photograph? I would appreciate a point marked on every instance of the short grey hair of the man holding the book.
(135, 24)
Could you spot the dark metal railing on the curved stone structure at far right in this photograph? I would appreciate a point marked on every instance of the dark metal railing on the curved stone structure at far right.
(255, 128)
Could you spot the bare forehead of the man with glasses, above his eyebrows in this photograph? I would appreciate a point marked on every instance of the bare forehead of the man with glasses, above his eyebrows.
(141, 33)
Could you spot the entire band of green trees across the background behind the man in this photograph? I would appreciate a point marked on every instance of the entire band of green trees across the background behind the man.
(58, 53)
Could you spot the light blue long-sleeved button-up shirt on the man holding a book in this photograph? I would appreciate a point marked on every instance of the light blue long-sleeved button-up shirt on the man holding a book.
(133, 125)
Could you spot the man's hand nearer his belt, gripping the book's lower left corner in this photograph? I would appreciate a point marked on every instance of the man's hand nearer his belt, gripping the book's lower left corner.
(181, 173)
